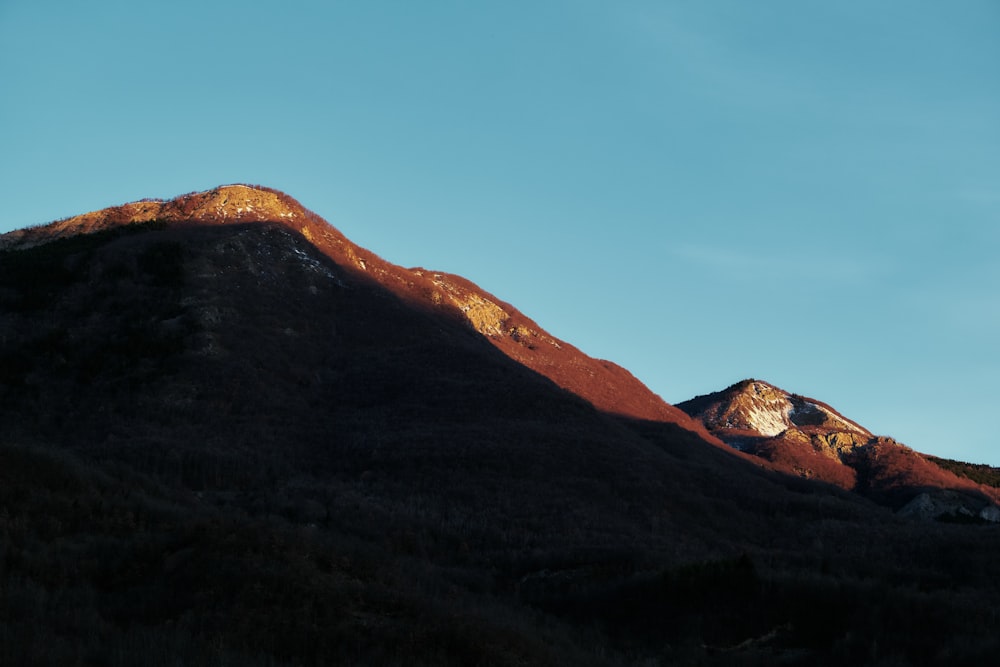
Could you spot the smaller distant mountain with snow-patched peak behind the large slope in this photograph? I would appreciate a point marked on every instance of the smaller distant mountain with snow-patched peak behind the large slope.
(806, 437)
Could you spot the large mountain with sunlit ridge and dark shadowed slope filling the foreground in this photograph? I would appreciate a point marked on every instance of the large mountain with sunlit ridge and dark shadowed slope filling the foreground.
(231, 436)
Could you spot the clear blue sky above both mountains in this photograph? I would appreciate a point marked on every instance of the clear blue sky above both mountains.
(804, 192)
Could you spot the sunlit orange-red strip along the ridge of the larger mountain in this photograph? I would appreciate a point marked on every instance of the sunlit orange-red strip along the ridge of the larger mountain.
(607, 386)
